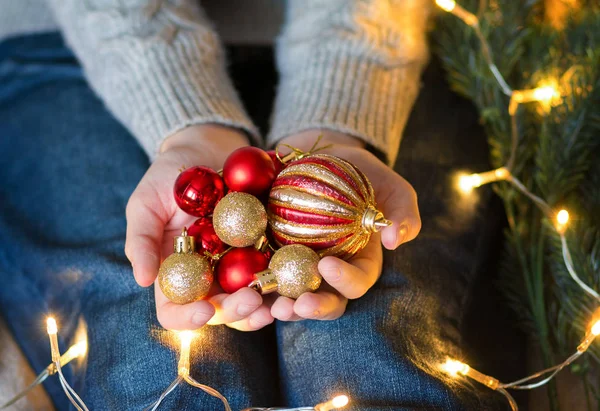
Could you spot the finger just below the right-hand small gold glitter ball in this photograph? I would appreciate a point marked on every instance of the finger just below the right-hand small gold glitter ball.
(322, 305)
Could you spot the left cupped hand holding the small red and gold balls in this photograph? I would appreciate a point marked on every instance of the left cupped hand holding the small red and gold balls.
(153, 219)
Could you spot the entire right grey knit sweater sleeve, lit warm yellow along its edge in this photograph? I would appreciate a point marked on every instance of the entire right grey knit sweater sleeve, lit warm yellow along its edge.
(352, 66)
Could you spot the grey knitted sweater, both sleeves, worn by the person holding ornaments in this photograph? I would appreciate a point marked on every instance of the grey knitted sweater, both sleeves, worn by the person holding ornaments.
(345, 65)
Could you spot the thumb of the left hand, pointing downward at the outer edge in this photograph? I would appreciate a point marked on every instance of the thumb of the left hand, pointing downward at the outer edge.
(146, 221)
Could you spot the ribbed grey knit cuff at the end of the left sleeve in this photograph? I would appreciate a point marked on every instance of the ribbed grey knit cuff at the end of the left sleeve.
(160, 89)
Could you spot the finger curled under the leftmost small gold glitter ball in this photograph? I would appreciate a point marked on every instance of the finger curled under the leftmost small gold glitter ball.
(181, 317)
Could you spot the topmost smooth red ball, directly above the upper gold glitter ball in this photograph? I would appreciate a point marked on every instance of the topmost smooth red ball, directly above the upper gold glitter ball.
(249, 170)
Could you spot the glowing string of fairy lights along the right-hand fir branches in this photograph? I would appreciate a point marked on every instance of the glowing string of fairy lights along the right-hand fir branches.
(466, 183)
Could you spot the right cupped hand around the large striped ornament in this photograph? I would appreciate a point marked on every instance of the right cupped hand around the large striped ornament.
(349, 280)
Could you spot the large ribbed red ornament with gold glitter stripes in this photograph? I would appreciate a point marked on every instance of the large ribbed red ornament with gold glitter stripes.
(325, 203)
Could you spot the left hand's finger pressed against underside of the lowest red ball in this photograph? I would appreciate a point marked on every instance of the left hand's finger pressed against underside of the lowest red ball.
(234, 307)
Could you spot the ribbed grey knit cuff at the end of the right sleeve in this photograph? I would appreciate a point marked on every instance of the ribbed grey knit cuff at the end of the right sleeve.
(360, 97)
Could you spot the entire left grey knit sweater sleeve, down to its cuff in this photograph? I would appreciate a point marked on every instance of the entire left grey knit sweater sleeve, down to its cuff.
(158, 65)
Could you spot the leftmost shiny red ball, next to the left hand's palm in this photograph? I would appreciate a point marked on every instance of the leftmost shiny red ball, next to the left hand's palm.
(197, 190)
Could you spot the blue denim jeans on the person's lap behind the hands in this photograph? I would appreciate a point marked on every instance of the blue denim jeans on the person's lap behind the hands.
(67, 169)
